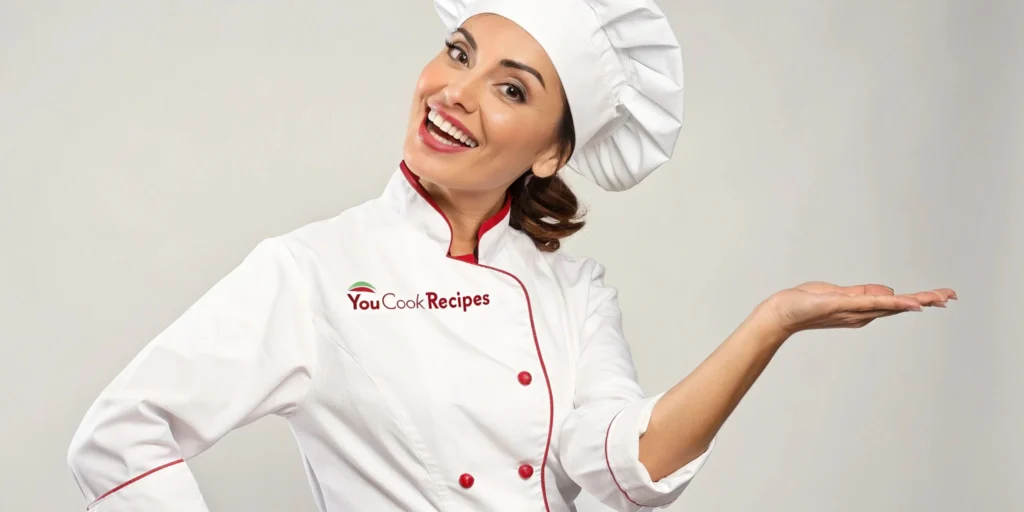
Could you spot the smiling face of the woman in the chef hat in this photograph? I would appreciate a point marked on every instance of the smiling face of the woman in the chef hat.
(486, 110)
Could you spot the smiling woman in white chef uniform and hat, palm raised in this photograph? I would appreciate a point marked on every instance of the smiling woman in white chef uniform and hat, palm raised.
(433, 350)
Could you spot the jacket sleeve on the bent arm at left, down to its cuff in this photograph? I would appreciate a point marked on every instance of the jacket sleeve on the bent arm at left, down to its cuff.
(244, 351)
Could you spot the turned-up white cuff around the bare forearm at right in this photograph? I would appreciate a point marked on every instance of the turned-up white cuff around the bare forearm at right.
(622, 451)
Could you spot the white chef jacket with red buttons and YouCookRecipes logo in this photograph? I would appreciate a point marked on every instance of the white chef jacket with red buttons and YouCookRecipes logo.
(412, 380)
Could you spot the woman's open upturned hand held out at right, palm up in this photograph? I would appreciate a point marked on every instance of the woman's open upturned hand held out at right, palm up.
(824, 306)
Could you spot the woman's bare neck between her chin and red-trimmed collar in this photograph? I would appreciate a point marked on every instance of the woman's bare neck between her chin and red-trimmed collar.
(466, 211)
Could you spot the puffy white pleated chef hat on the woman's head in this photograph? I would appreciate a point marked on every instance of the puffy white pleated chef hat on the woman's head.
(622, 70)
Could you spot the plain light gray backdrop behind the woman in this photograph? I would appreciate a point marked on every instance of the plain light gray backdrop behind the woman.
(146, 147)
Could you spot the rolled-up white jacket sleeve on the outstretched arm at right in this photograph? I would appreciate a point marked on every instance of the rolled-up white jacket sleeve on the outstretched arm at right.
(601, 440)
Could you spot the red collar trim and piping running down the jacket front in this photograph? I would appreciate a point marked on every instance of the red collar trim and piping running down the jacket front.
(493, 222)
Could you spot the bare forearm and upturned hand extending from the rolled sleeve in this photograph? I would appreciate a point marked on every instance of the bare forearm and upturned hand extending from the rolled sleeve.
(687, 418)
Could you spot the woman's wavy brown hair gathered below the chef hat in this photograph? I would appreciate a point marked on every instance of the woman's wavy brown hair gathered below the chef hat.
(546, 209)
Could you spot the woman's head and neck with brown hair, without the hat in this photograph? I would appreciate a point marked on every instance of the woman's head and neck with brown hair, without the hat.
(490, 106)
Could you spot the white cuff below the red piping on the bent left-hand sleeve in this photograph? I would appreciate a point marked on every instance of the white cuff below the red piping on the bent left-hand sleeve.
(169, 489)
